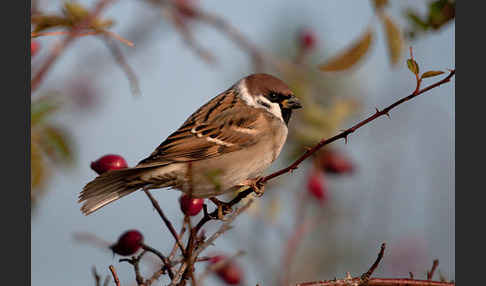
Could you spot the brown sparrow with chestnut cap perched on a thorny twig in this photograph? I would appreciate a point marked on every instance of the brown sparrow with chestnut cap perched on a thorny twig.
(226, 144)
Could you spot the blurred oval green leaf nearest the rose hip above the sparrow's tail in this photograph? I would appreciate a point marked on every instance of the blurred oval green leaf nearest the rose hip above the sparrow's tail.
(57, 144)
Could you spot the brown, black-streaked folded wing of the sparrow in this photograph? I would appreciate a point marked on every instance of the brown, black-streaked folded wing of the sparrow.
(225, 124)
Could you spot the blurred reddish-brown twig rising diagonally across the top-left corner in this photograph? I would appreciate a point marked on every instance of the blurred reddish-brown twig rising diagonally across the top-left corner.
(61, 46)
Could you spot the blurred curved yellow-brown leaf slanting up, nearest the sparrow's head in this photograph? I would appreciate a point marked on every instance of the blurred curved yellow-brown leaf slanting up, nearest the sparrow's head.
(351, 56)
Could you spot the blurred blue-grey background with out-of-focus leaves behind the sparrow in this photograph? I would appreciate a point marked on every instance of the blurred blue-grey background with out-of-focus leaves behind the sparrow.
(392, 182)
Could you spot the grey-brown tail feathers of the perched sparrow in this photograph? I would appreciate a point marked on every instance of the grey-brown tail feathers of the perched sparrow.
(109, 187)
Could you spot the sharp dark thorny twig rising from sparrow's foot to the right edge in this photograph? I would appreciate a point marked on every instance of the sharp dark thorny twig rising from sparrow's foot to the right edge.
(344, 134)
